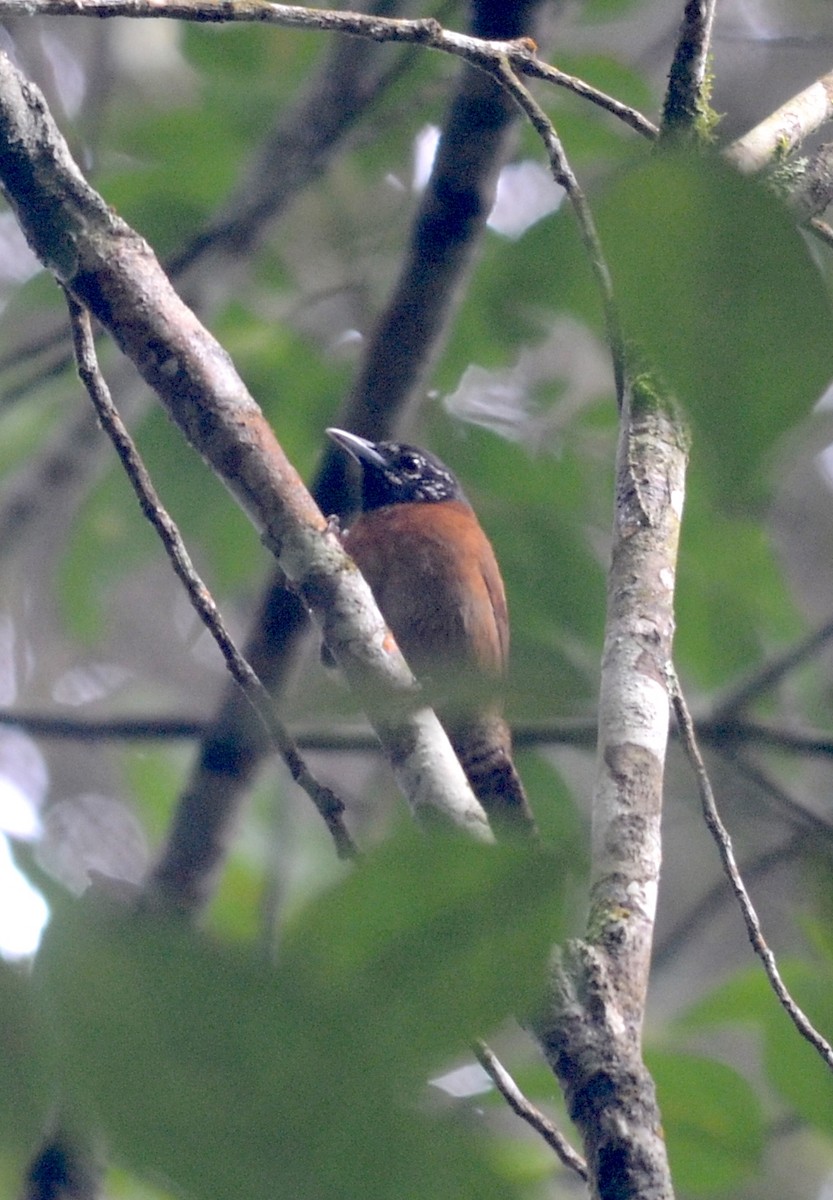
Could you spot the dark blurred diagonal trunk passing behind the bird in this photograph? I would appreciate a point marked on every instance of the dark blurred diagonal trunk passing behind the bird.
(397, 359)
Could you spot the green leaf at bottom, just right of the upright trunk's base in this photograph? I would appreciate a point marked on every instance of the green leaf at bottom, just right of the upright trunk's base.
(714, 1123)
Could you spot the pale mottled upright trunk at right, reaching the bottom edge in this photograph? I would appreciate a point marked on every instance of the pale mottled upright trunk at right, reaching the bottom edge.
(592, 1030)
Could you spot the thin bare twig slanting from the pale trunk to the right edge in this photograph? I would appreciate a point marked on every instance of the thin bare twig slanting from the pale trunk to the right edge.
(724, 844)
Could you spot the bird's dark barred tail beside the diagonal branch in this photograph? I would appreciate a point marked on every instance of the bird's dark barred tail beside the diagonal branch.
(484, 748)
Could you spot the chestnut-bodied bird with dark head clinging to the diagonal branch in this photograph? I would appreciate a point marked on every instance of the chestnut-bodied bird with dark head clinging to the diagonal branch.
(436, 580)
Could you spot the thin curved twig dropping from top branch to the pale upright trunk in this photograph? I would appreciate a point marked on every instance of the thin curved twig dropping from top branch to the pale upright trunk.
(565, 176)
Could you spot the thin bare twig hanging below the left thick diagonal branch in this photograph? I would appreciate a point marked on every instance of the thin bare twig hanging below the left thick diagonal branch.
(329, 806)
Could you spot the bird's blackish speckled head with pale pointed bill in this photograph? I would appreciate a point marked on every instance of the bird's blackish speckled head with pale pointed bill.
(393, 473)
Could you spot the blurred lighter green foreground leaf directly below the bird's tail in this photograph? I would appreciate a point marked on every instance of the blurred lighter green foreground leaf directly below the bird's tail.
(466, 928)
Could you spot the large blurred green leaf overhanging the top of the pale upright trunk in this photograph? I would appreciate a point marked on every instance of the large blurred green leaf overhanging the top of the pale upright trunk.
(718, 287)
